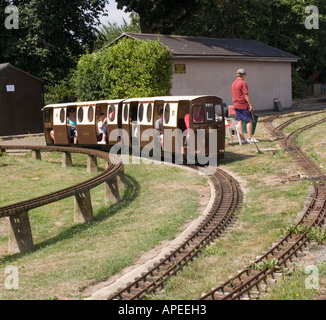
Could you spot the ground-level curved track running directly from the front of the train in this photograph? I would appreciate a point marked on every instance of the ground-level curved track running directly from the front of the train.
(228, 196)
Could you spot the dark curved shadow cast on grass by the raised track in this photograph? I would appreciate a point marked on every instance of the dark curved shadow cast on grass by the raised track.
(130, 193)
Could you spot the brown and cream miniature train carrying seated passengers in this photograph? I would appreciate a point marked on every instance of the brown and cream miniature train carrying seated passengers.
(191, 124)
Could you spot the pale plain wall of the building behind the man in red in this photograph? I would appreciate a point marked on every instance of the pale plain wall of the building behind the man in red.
(266, 80)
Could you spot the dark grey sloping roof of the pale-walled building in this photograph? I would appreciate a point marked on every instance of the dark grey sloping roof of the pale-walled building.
(185, 46)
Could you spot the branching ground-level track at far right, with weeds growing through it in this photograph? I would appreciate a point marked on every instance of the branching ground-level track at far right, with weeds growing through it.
(247, 284)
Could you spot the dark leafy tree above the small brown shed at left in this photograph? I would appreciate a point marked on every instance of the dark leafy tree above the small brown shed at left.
(51, 35)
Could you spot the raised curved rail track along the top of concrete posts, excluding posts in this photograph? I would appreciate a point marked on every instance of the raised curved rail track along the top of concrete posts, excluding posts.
(113, 167)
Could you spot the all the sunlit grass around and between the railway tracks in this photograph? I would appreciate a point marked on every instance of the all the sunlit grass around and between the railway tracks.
(155, 205)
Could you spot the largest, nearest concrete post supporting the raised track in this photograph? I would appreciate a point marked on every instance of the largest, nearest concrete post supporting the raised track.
(20, 233)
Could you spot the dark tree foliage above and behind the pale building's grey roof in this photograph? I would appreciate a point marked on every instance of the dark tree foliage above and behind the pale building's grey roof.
(279, 23)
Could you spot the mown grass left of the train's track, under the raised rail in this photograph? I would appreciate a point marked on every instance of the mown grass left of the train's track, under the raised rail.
(69, 256)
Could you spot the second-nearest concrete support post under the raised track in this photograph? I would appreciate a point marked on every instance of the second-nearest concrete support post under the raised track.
(83, 210)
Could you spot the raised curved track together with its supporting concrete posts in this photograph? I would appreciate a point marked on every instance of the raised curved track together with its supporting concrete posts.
(20, 235)
